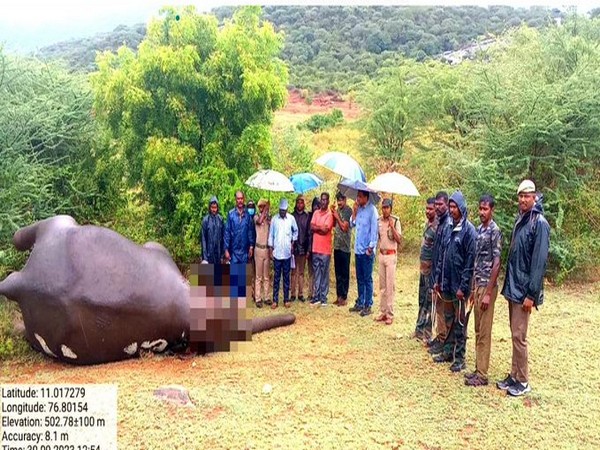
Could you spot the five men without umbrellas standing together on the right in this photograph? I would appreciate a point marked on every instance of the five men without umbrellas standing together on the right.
(459, 271)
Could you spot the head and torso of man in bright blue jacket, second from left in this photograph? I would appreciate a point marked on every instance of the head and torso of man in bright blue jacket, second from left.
(239, 233)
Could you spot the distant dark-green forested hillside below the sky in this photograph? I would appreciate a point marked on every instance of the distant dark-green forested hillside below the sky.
(340, 47)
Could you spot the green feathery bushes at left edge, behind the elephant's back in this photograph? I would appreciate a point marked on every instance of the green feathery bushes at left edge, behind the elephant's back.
(46, 133)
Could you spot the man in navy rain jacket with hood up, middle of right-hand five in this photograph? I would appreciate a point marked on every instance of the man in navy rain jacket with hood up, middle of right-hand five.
(453, 281)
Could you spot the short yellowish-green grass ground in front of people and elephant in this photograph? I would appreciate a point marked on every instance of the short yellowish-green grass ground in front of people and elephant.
(341, 381)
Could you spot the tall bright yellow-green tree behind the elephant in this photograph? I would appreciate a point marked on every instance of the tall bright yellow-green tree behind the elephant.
(189, 115)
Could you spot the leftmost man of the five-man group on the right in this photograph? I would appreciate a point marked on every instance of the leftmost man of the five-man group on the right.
(423, 328)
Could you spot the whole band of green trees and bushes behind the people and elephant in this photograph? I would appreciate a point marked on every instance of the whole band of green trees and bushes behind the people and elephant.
(141, 143)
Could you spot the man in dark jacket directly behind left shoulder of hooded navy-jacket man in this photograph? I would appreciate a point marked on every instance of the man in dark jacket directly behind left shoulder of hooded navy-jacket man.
(442, 233)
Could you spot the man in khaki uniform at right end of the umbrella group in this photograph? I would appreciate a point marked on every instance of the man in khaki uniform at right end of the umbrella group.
(390, 235)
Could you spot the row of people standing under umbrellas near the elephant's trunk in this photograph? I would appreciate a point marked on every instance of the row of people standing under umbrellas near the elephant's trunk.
(301, 244)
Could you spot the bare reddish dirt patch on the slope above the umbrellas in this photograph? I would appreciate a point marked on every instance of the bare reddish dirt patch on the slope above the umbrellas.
(323, 103)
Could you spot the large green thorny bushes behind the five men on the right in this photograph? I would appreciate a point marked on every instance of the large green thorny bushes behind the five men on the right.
(528, 109)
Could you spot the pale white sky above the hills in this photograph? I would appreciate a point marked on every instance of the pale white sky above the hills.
(39, 22)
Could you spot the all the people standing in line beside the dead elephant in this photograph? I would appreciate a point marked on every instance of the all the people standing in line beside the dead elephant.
(459, 266)
